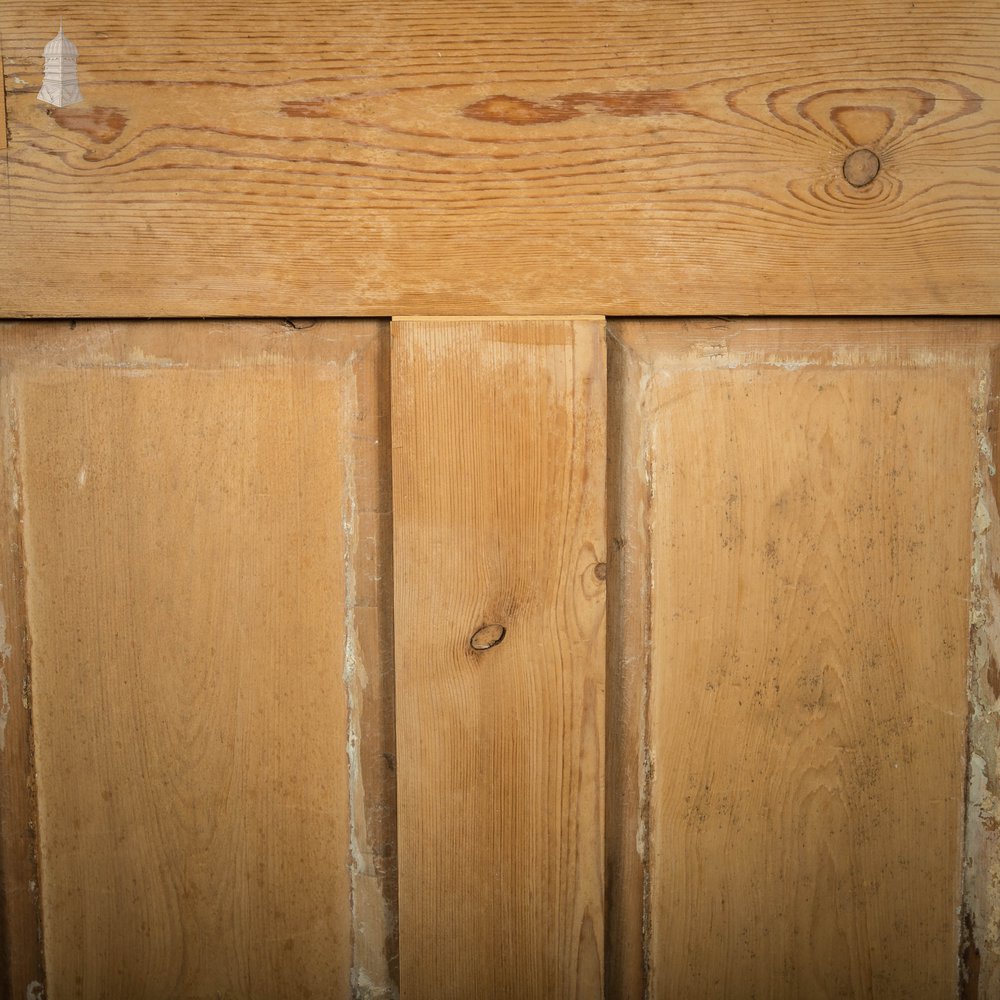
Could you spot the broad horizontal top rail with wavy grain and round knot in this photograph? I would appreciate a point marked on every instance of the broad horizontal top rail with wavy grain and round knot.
(617, 158)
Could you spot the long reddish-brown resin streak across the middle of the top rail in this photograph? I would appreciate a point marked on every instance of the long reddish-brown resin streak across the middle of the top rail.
(507, 110)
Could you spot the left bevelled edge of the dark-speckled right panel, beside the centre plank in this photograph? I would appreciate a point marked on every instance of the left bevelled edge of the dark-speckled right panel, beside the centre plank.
(626, 802)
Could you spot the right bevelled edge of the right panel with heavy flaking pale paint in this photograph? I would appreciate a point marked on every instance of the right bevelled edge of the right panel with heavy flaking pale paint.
(979, 958)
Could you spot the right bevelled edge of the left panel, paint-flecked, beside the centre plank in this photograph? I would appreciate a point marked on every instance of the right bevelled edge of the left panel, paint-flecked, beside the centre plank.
(369, 678)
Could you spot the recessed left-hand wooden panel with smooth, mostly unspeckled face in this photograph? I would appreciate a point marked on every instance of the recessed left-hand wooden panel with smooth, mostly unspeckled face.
(204, 521)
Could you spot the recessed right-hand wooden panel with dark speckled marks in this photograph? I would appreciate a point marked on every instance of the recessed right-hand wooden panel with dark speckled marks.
(799, 579)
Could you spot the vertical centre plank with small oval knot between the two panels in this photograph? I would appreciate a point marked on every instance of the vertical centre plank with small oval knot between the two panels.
(498, 485)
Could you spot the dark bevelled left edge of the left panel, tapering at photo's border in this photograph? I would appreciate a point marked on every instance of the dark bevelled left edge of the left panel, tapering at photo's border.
(20, 880)
